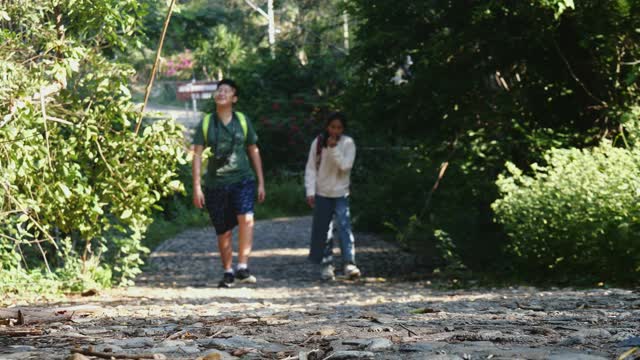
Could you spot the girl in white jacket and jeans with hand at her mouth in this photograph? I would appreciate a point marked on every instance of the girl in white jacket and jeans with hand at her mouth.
(327, 186)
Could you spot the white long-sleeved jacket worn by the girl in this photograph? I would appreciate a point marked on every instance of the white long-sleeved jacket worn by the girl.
(332, 179)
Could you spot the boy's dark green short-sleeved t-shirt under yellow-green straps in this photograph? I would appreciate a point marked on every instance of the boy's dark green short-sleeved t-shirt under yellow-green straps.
(237, 167)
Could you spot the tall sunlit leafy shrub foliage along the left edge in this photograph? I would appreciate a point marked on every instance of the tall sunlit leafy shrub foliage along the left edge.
(77, 183)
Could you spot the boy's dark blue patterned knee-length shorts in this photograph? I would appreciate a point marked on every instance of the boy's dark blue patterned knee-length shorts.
(226, 202)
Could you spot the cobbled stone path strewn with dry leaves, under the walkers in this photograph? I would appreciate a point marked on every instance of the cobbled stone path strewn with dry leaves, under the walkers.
(175, 311)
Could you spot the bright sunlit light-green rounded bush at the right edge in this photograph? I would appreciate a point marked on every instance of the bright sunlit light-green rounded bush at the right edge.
(576, 216)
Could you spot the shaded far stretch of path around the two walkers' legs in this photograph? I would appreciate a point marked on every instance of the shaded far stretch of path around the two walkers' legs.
(279, 257)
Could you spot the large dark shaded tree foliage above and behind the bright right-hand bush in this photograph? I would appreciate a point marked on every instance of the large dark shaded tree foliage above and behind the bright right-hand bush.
(477, 84)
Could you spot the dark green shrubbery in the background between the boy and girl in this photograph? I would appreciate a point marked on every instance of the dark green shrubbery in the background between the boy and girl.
(289, 103)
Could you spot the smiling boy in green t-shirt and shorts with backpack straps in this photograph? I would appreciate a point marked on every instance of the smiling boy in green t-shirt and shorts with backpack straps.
(230, 184)
